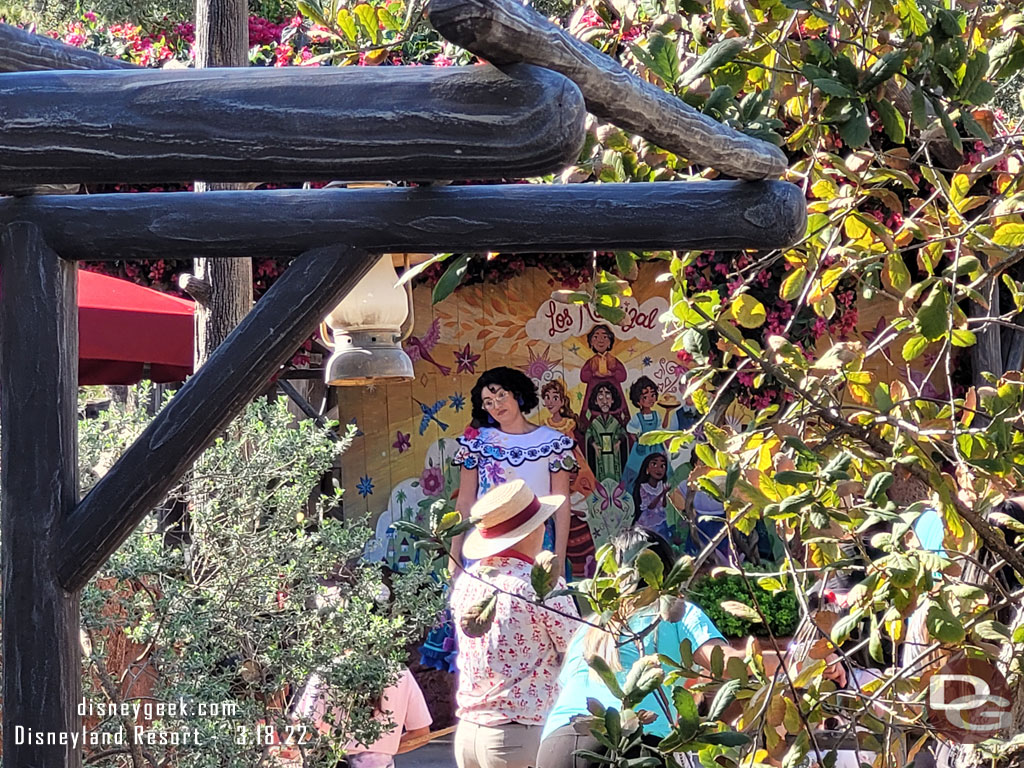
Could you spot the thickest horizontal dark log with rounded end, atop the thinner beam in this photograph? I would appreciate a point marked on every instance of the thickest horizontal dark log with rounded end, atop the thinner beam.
(420, 123)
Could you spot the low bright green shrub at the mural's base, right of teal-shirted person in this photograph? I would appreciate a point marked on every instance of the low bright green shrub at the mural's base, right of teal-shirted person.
(781, 609)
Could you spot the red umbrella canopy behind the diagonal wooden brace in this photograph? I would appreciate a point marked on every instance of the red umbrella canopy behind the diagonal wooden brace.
(127, 332)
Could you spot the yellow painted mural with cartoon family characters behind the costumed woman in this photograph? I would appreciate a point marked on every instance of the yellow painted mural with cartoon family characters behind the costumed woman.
(604, 385)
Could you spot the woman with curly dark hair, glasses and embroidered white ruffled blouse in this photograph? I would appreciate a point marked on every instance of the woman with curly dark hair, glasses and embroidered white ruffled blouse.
(501, 445)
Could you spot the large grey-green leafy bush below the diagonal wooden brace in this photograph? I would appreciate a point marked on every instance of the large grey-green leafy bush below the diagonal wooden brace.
(267, 589)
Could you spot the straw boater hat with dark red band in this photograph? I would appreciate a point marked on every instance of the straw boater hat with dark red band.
(506, 516)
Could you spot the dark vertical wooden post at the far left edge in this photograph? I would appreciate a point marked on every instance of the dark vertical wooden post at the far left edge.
(39, 482)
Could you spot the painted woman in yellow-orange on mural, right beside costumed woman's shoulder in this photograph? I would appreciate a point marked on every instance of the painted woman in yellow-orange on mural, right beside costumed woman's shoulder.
(582, 484)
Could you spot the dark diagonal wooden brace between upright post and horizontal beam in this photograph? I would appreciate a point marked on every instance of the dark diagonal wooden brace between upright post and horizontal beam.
(235, 374)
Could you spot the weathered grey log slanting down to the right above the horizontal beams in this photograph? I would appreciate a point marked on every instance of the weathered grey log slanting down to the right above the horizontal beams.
(505, 32)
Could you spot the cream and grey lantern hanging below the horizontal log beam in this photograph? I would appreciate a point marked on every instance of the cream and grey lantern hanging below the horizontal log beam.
(369, 327)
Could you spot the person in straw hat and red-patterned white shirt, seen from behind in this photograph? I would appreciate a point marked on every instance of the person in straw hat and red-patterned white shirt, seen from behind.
(508, 674)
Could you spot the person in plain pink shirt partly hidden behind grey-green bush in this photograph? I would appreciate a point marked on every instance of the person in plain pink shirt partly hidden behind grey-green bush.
(402, 704)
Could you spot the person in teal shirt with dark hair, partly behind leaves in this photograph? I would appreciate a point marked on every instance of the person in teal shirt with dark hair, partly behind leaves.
(560, 741)
